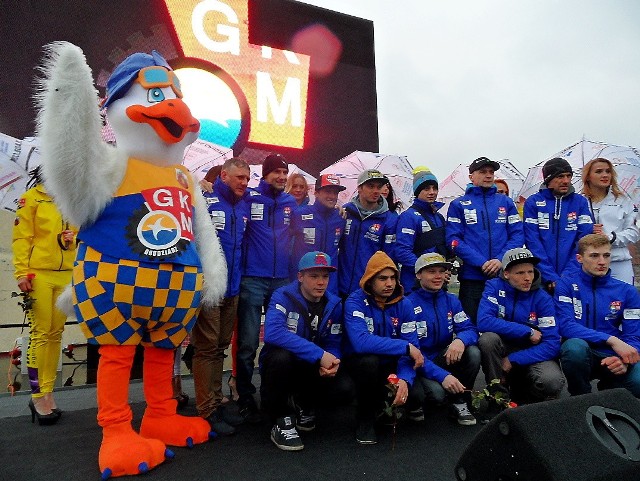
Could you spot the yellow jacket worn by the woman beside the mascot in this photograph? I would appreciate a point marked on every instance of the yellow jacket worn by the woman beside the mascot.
(37, 233)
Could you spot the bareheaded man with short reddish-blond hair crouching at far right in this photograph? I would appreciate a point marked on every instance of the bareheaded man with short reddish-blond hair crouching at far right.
(600, 320)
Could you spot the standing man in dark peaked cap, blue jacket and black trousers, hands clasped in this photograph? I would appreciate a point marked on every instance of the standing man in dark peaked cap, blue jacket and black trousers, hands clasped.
(481, 226)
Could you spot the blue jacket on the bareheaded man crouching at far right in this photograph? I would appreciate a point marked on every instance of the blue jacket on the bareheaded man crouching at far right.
(594, 308)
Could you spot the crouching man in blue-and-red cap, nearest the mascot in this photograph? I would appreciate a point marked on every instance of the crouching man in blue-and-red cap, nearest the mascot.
(300, 360)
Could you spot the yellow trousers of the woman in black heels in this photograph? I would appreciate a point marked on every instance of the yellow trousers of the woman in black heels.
(45, 335)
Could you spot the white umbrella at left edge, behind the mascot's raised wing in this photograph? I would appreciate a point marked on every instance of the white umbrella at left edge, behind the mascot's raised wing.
(17, 159)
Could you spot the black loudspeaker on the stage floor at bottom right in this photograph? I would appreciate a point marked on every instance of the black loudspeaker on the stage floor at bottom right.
(594, 437)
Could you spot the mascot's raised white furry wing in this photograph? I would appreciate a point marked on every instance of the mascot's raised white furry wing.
(81, 171)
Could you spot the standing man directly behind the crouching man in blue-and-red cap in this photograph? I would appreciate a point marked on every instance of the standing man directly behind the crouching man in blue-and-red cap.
(319, 226)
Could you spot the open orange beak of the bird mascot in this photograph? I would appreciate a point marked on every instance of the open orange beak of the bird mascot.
(171, 119)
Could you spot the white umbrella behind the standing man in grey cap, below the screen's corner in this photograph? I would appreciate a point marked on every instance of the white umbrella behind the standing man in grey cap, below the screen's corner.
(397, 169)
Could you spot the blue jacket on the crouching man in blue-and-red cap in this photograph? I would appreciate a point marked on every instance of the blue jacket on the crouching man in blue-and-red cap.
(285, 325)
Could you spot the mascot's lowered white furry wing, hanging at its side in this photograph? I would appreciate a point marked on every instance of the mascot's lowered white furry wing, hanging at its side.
(214, 265)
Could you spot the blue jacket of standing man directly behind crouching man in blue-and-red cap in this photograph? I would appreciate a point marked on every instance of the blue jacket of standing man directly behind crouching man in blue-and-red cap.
(315, 227)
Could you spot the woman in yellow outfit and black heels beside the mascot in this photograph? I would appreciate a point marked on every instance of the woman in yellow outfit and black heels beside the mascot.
(43, 254)
